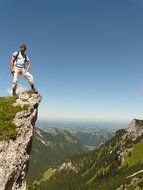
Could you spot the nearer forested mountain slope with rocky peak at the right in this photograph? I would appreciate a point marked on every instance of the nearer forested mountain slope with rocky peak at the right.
(115, 165)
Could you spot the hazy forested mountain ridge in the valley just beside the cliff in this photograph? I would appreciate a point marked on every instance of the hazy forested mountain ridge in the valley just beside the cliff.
(48, 150)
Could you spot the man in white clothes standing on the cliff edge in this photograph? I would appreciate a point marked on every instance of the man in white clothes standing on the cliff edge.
(20, 64)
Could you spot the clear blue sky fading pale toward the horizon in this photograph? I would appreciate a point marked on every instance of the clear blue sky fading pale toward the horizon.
(87, 55)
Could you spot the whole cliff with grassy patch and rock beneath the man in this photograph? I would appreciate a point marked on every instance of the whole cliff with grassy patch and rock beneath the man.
(15, 150)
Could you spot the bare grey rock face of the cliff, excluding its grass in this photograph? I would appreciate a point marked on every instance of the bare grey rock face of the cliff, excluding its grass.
(14, 154)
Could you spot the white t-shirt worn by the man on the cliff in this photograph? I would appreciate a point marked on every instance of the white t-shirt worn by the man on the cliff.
(20, 60)
